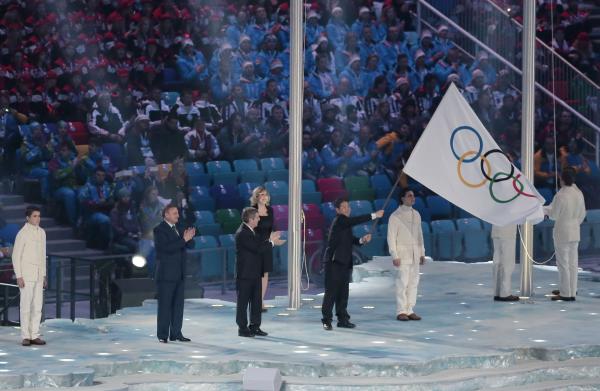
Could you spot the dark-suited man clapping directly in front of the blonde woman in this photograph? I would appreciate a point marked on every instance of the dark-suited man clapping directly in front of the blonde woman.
(248, 267)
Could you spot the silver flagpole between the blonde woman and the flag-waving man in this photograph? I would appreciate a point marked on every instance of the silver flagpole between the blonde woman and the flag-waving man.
(295, 163)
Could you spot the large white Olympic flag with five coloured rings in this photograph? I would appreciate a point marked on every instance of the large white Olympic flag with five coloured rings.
(458, 159)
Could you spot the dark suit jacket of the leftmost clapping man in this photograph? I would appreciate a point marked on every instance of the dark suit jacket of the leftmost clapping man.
(171, 254)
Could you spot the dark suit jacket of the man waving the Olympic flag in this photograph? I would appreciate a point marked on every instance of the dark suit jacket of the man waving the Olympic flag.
(341, 239)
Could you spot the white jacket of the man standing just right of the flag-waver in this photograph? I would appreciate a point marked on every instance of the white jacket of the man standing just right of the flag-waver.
(405, 235)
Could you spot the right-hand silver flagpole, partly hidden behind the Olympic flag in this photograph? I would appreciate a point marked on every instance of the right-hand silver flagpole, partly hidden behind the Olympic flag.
(527, 130)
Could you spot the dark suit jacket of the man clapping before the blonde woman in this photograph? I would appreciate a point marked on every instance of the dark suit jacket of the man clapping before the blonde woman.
(249, 252)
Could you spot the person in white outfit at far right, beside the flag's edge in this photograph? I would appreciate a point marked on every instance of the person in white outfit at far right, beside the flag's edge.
(568, 211)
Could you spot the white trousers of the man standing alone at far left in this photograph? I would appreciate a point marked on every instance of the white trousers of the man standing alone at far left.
(32, 300)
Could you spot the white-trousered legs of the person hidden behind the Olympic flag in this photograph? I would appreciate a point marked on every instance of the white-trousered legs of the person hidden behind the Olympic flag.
(504, 239)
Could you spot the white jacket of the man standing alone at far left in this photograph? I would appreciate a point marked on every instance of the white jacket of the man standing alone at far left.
(29, 253)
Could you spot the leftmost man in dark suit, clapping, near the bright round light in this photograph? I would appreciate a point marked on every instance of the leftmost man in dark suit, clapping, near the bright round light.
(171, 248)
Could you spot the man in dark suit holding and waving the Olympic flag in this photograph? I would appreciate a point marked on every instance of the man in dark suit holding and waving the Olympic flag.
(338, 266)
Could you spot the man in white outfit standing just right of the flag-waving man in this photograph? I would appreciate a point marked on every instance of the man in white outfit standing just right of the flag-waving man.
(405, 241)
